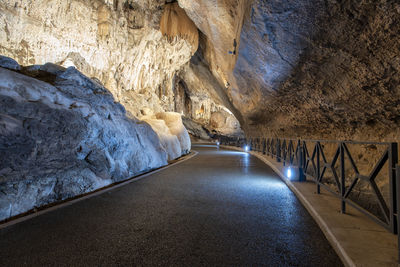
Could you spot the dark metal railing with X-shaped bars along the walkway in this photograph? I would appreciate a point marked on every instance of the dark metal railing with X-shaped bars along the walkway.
(310, 157)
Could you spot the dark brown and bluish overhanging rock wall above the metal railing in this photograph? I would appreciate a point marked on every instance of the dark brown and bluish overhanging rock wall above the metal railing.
(321, 69)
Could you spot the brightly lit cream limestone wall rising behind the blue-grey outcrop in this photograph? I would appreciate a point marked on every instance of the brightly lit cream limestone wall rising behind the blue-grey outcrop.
(118, 42)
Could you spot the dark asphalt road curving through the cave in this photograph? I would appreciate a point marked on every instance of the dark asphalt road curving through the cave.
(219, 208)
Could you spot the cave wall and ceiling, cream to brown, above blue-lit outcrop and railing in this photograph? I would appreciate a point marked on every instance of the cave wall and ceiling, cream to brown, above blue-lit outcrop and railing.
(281, 67)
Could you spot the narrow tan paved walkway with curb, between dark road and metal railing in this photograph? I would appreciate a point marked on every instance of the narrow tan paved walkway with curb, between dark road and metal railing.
(357, 239)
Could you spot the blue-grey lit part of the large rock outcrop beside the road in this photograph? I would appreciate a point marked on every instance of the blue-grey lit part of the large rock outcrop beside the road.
(61, 140)
